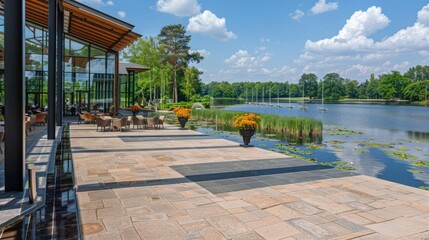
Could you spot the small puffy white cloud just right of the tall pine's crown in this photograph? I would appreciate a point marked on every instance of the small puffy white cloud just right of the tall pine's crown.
(210, 25)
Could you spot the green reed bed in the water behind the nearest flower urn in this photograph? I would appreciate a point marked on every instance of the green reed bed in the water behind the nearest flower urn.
(296, 126)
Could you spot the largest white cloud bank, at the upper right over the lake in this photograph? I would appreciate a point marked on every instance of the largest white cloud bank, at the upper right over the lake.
(355, 54)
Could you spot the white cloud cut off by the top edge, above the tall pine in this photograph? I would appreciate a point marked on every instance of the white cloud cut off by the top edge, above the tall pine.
(179, 8)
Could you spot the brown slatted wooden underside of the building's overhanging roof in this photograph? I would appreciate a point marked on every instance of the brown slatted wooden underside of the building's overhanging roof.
(85, 23)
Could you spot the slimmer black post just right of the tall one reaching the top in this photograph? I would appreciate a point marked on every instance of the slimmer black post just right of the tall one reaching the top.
(60, 59)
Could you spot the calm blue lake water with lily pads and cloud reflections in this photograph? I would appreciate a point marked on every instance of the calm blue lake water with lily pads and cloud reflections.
(404, 128)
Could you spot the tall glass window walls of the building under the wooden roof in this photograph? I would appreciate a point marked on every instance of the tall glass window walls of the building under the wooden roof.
(88, 72)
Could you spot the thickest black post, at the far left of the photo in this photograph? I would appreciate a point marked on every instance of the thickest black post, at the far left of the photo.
(14, 60)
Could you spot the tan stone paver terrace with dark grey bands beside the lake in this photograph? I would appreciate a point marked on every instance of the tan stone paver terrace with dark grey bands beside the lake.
(179, 184)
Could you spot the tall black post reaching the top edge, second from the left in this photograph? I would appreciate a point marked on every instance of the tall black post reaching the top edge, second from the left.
(52, 54)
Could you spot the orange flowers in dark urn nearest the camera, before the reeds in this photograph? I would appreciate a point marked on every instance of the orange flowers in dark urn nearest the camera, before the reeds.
(246, 124)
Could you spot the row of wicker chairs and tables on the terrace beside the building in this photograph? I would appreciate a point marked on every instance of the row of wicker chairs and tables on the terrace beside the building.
(123, 123)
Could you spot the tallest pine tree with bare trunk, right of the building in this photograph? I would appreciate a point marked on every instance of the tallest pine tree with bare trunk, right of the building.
(175, 44)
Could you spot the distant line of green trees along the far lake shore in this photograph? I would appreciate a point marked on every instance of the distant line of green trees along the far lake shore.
(411, 85)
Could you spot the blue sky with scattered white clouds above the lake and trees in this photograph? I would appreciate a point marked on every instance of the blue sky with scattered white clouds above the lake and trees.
(279, 40)
